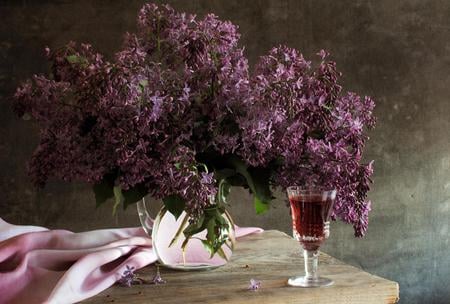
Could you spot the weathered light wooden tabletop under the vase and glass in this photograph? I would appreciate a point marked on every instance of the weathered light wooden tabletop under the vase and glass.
(270, 257)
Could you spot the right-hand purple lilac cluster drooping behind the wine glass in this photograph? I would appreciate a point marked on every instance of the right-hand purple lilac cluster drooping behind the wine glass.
(299, 115)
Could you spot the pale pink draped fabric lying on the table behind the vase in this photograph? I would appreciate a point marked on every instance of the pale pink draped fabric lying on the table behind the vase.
(38, 265)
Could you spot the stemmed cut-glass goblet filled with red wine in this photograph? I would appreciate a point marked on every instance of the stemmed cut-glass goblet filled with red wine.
(311, 209)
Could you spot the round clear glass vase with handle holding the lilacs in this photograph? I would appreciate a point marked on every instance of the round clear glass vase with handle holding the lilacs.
(167, 238)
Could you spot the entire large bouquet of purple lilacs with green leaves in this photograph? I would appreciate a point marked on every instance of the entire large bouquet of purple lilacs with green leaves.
(176, 115)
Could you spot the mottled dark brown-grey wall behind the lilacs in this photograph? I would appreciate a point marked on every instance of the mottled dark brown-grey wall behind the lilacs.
(396, 51)
